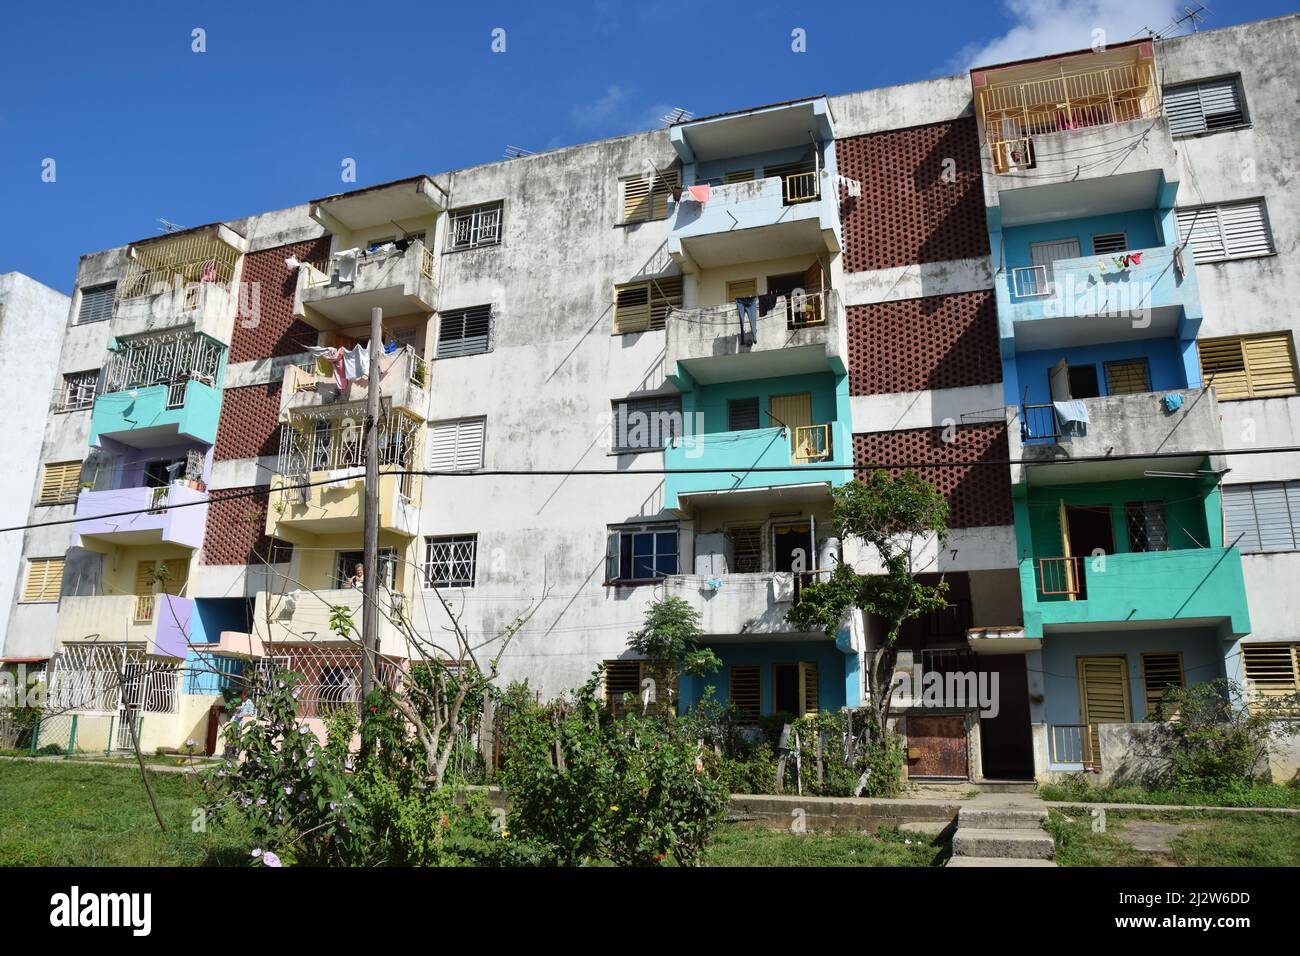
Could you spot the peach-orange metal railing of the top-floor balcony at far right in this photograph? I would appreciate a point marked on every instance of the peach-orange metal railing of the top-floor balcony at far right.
(1015, 114)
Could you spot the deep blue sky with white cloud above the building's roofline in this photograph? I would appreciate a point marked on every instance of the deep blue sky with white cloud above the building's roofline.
(141, 127)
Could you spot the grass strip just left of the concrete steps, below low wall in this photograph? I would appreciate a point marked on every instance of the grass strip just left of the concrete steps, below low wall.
(740, 847)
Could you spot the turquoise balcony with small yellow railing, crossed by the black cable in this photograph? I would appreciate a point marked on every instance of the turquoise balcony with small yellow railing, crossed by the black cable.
(760, 461)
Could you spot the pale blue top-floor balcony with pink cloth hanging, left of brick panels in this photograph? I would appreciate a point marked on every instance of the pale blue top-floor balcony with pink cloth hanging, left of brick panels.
(773, 218)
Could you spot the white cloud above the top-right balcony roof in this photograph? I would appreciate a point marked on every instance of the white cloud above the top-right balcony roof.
(1056, 27)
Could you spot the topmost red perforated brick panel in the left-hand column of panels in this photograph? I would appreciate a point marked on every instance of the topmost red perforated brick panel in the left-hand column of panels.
(266, 326)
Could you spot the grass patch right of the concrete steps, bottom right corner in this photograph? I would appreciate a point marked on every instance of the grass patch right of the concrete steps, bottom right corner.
(1211, 840)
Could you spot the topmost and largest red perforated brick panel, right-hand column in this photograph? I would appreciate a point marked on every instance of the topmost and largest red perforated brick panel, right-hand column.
(915, 207)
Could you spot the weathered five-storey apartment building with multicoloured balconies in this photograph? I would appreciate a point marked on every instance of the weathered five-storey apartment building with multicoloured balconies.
(1000, 279)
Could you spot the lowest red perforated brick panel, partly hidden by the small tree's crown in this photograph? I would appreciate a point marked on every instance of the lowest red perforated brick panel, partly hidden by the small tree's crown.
(978, 495)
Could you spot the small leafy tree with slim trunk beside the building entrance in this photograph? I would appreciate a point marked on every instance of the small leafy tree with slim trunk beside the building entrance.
(892, 518)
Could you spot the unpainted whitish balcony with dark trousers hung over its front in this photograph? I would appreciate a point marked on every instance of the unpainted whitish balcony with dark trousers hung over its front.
(801, 334)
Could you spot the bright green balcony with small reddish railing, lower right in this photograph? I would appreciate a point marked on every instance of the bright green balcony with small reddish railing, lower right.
(1193, 587)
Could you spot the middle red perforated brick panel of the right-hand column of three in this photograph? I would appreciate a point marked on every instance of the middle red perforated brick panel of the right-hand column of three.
(937, 343)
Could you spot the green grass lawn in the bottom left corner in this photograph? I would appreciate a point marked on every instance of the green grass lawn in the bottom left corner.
(73, 815)
